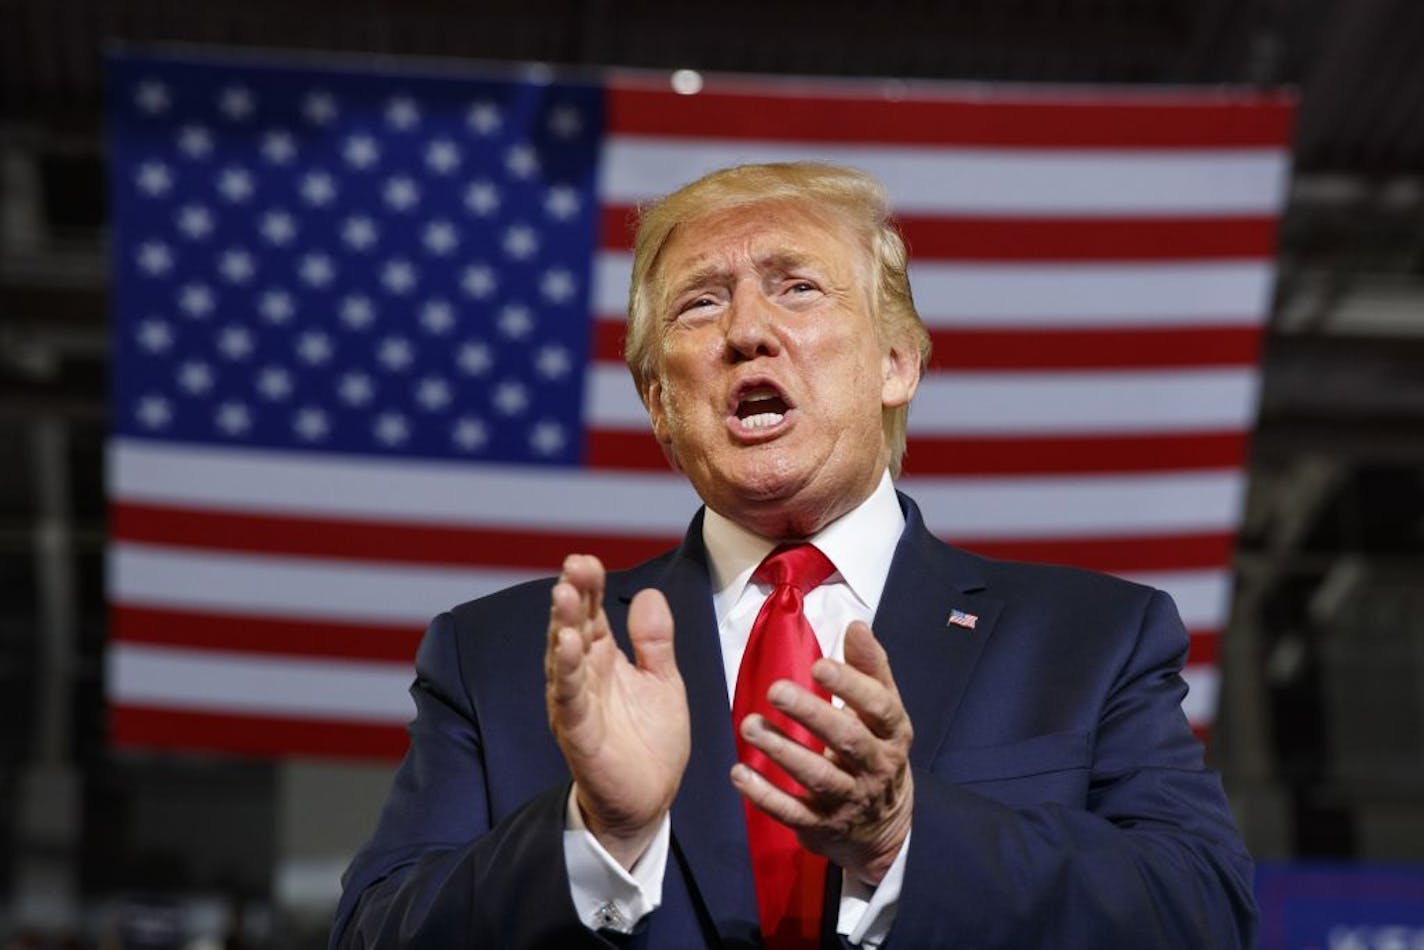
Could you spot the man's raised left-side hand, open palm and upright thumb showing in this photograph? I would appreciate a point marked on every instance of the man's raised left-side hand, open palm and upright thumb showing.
(623, 729)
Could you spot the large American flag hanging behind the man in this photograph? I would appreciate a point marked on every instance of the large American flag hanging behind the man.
(368, 331)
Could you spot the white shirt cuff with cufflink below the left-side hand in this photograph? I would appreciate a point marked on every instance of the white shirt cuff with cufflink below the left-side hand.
(609, 897)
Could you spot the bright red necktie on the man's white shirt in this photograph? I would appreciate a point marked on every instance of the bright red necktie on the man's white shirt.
(790, 879)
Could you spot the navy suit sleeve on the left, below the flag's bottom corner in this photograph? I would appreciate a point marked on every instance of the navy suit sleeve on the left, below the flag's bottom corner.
(436, 874)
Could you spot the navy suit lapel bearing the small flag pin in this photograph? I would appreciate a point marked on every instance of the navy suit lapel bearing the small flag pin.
(931, 657)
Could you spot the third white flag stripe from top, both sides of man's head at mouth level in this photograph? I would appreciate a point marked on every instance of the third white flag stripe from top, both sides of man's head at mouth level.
(1007, 404)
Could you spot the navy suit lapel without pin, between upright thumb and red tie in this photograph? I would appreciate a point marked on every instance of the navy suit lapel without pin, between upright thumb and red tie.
(708, 825)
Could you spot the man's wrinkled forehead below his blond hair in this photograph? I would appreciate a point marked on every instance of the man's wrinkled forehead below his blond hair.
(757, 234)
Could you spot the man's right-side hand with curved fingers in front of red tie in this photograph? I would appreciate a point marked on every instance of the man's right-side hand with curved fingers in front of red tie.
(859, 795)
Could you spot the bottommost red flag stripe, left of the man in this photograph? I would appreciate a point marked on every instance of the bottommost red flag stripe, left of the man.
(157, 729)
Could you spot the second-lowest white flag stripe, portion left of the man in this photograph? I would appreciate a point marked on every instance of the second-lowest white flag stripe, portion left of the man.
(295, 588)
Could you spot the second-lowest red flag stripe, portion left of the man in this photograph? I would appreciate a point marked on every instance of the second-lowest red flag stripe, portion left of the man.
(244, 633)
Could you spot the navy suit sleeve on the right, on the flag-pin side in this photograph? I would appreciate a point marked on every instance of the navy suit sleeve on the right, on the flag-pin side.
(1153, 860)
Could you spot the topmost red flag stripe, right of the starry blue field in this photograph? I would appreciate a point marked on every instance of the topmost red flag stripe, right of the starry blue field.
(808, 115)
